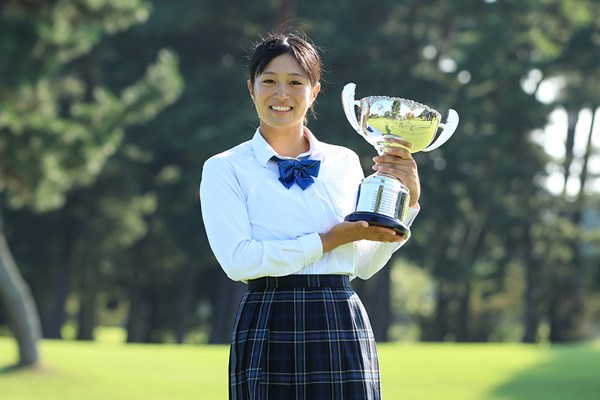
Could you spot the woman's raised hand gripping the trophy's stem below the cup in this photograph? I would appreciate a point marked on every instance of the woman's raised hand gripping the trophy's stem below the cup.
(399, 162)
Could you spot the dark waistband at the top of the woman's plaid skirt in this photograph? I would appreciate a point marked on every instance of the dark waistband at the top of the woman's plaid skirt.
(298, 281)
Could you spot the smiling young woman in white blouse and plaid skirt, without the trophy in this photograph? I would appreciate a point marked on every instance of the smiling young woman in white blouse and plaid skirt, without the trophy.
(273, 208)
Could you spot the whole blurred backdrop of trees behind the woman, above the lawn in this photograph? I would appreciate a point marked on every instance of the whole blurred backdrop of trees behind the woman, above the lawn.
(108, 110)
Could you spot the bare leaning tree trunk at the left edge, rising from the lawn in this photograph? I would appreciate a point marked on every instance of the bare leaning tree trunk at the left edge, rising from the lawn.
(20, 306)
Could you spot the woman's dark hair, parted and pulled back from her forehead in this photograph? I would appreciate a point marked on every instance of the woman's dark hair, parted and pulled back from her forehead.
(278, 43)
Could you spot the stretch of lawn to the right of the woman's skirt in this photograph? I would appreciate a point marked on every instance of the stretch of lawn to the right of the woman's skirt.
(490, 372)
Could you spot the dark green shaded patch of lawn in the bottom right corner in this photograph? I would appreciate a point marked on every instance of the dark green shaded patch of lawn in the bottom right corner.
(572, 372)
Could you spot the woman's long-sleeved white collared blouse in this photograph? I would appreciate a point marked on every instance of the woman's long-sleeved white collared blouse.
(256, 227)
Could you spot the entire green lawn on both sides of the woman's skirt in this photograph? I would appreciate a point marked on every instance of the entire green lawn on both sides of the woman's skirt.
(110, 370)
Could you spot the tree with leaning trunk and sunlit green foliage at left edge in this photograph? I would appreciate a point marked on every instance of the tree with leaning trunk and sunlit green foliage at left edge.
(73, 124)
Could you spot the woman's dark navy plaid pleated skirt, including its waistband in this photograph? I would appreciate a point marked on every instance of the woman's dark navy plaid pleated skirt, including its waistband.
(303, 337)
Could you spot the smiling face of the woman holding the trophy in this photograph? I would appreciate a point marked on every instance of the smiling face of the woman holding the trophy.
(282, 93)
